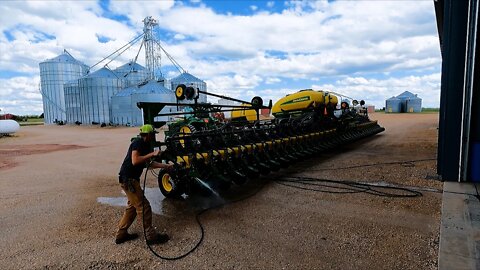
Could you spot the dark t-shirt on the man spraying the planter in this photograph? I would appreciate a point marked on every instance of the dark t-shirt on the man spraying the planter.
(128, 170)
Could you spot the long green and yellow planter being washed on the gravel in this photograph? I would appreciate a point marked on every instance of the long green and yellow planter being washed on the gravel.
(208, 150)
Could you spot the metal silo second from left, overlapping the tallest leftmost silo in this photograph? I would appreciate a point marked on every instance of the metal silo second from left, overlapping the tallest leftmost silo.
(96, 90)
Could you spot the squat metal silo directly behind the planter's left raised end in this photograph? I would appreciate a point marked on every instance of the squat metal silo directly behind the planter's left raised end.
(152, 91)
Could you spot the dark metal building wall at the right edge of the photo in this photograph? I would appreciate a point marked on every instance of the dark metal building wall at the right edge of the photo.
(459, 123)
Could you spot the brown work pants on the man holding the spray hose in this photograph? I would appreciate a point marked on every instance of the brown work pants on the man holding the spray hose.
(134, 208)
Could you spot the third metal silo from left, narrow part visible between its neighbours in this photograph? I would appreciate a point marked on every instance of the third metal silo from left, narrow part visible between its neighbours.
(122, 110)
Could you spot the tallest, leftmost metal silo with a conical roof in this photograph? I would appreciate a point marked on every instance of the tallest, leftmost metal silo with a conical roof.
(54, 73)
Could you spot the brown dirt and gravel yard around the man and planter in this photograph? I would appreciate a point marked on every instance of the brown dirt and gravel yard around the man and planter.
(53, 177)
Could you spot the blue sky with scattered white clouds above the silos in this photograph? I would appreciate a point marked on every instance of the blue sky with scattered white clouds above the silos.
(368, 50)
